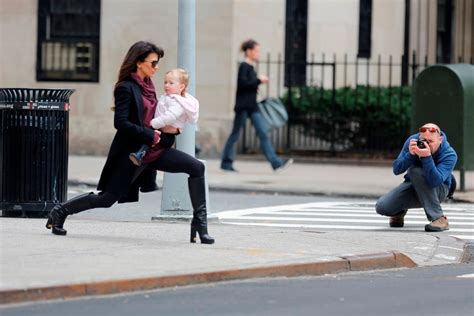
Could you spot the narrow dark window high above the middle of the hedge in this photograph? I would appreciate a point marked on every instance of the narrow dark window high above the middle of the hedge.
(365, 29)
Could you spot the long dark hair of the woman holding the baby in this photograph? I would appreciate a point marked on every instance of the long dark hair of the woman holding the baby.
(138, 52)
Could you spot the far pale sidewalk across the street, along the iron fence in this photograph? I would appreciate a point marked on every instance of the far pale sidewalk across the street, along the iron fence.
(301, 178)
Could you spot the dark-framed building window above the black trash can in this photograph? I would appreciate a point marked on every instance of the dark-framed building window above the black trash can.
(68, 40)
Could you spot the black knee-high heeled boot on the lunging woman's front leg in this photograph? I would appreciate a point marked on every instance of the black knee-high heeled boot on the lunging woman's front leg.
(197, 192)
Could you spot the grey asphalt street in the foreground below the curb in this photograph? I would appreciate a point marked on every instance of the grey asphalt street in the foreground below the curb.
(439, 290)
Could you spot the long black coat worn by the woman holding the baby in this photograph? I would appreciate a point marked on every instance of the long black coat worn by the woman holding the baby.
(119, 172)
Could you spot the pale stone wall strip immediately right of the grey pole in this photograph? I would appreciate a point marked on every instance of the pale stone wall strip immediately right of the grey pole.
(214, 65)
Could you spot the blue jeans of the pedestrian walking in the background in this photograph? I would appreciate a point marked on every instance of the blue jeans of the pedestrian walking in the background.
(228, 155)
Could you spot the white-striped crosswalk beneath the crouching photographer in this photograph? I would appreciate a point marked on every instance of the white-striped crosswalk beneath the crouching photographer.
(336, 215)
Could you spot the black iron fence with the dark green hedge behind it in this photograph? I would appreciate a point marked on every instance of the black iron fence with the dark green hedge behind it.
(346, 108)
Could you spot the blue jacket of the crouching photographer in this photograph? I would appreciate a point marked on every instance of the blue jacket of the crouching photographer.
(437, 168)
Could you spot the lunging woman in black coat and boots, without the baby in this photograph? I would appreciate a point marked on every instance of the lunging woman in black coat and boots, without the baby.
(135, 103)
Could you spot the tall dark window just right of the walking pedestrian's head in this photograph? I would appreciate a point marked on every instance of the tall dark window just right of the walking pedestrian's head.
(296, 31)
